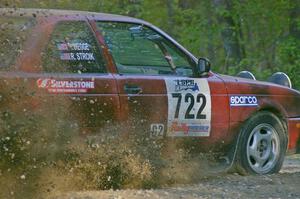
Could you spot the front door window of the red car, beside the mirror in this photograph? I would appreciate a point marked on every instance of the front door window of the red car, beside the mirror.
(137, 49)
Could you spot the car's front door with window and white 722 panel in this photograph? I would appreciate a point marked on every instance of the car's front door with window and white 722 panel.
(159, 95)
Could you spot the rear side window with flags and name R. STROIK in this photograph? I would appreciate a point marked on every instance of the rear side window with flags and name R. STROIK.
(72, 49)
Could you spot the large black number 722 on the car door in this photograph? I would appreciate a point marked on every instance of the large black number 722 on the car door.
(190, 98)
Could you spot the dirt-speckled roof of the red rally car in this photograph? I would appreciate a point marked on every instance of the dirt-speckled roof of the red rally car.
(41, 13)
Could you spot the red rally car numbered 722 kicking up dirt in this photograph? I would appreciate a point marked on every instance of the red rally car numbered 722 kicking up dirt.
(114, 69)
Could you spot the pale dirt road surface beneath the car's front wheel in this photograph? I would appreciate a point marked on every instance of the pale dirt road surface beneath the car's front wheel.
(286, 184)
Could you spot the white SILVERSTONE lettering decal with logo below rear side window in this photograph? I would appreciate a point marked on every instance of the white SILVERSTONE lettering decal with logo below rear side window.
(63, 86)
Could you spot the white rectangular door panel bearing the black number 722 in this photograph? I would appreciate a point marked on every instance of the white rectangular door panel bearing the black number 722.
(189, 107)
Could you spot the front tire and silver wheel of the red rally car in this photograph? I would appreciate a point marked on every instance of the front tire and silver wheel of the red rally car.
(262, 145)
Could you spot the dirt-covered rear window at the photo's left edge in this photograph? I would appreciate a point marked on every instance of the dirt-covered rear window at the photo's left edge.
(14, 31)
